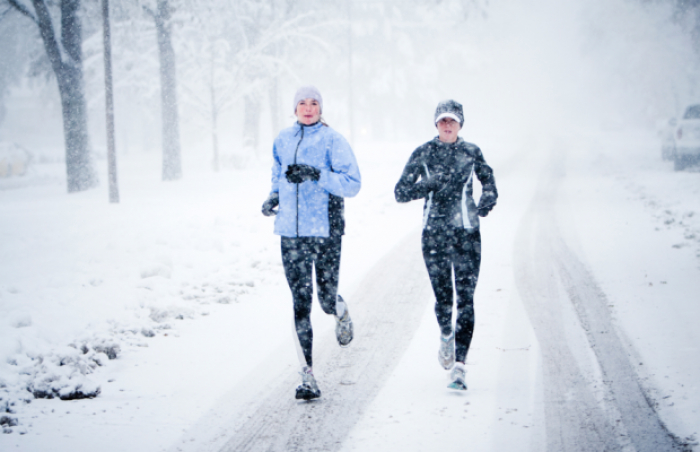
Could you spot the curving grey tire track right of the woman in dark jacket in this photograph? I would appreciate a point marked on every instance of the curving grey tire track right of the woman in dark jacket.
(553, 282)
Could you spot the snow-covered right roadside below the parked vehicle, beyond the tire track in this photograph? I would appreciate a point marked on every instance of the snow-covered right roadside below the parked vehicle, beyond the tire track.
(636, 221)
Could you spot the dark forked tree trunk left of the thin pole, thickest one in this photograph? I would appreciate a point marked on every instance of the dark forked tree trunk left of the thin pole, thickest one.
(66, 60)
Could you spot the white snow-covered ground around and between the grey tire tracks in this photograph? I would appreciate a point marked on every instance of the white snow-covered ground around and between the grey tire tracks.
(184, 281)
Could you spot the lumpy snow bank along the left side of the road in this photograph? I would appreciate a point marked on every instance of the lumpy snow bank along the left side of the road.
(85, 286)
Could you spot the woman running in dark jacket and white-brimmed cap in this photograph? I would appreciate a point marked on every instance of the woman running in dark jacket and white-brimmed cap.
(442, 171)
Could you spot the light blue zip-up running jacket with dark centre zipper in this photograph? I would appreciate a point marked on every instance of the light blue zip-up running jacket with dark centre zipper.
(304, 208)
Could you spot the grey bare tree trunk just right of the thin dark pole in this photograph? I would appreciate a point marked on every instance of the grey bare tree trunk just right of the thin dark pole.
(172, 166)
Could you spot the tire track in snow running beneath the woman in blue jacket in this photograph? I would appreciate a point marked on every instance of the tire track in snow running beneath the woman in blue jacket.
(386, 310)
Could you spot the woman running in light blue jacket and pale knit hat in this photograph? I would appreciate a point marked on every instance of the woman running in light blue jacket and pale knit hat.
(314, 169)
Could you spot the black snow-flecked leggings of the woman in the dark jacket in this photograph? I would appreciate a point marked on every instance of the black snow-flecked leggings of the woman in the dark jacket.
(444, 250)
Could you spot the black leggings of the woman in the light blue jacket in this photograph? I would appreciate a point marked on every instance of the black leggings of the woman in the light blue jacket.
(299, 255)
